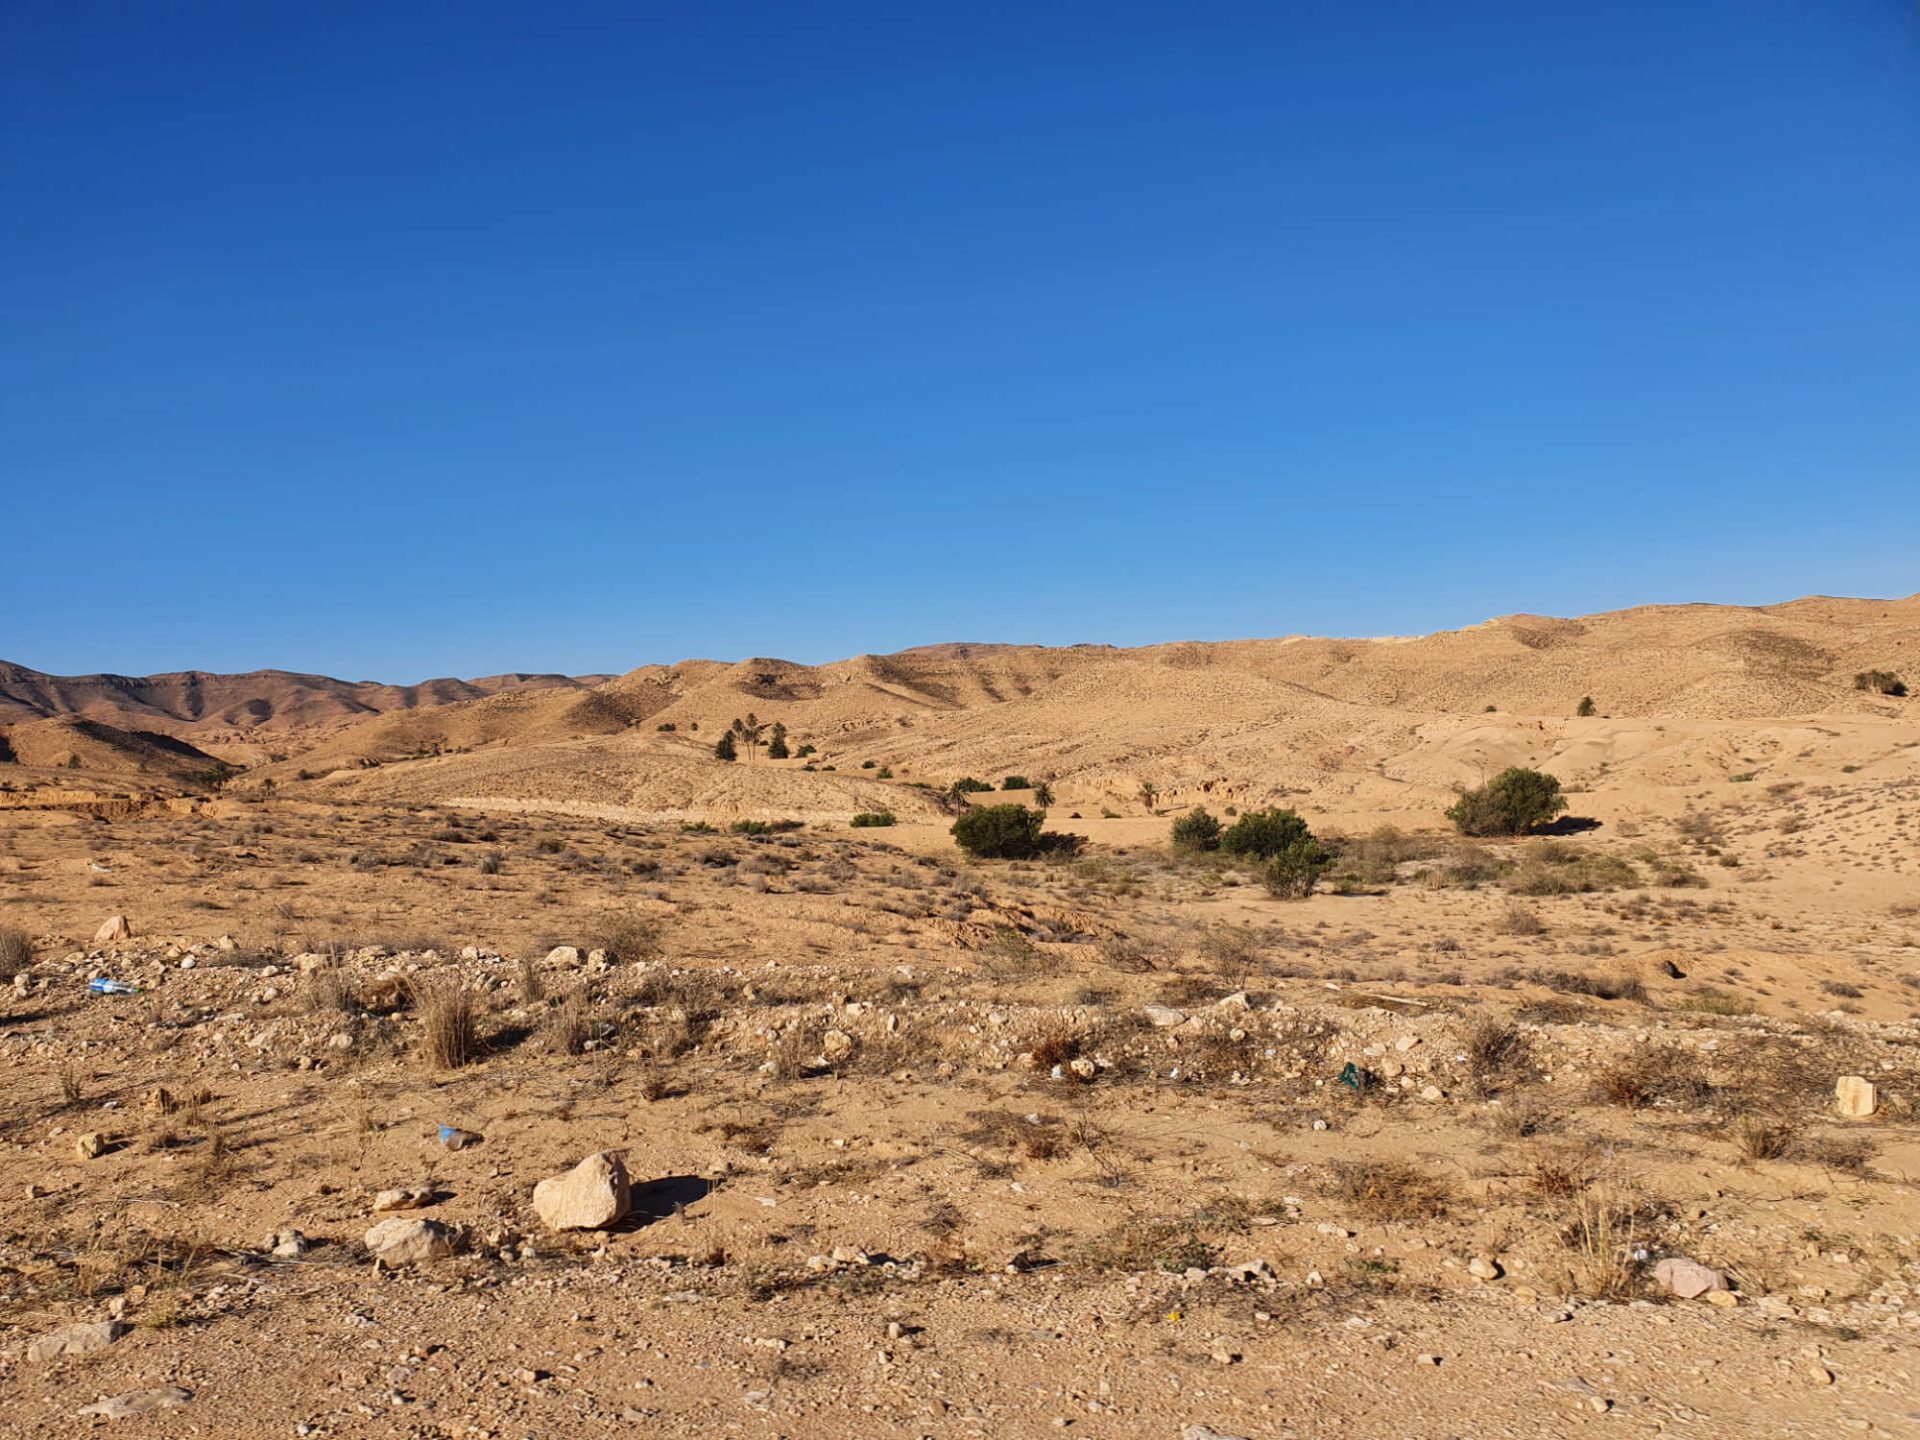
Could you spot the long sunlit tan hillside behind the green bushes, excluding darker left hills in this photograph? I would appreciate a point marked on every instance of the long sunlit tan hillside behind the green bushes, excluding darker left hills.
(1681, 694)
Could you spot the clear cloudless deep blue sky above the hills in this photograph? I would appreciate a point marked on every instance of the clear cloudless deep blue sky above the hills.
(395, 341)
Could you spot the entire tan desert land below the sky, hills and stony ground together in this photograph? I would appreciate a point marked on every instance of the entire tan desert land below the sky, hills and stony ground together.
(496, 1059)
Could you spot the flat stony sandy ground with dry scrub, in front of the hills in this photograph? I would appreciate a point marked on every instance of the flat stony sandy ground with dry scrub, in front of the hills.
(875, 1197)
